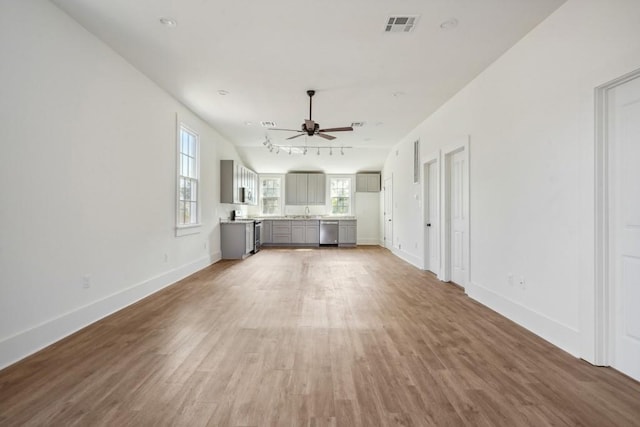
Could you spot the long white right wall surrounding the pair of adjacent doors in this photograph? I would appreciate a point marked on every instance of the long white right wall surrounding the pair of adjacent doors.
(530, 118)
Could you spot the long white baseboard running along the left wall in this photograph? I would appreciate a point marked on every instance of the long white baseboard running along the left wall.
(28, 342)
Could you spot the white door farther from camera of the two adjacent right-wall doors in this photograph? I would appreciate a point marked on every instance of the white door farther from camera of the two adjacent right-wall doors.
(431, 234)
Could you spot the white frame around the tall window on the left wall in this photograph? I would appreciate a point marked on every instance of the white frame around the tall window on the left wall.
(183, 229)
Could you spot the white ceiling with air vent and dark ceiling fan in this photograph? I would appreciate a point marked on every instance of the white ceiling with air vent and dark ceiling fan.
(267, 54)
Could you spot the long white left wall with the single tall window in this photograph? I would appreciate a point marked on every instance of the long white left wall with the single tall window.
(87, 181)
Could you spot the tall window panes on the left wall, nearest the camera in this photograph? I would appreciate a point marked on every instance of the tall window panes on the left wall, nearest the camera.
(188, 209)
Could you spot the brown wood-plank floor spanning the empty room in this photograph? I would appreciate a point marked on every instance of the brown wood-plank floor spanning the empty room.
(324, 337)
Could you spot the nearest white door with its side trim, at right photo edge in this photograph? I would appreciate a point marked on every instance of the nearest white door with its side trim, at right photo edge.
(617, 332)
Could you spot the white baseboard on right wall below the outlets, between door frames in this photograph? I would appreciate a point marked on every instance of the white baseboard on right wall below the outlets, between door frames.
(558, 334)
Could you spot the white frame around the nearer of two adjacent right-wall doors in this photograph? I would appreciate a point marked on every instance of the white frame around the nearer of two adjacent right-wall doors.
(461, 144)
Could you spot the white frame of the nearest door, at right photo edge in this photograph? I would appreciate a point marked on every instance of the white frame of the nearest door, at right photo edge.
(599, 305)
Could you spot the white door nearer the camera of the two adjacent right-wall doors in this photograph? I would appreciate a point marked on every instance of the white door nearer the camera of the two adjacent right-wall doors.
(458, 216)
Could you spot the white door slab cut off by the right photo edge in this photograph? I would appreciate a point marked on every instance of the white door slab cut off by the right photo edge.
(624, 231)
